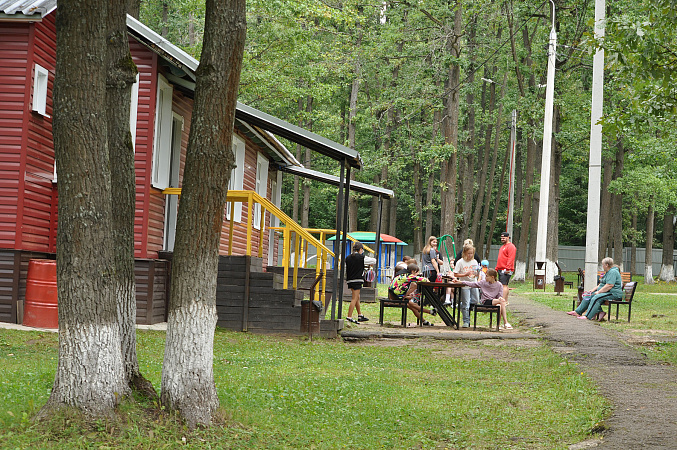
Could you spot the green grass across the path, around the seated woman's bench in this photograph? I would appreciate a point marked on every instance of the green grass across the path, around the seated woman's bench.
(654, 314)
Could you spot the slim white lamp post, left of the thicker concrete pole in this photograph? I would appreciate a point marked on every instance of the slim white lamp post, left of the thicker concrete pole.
(541, 235)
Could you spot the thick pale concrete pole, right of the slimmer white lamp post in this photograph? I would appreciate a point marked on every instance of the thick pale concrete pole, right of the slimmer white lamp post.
(595, 167)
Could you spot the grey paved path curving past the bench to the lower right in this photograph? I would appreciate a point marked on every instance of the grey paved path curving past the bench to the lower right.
(643, 392)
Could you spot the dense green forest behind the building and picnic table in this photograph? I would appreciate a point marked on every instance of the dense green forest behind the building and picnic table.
(425, 90)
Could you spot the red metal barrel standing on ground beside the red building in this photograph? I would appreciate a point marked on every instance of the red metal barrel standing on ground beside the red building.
(40, 307)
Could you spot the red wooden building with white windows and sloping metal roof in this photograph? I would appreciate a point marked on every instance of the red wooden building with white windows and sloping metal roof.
(160, 118)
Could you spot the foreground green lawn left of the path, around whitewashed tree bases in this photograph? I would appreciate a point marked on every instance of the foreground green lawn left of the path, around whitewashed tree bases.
(288, 392)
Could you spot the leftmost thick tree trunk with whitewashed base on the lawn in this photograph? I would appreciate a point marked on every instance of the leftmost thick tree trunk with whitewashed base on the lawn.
(90, 372)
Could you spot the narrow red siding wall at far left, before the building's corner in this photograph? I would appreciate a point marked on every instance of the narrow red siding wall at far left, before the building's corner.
(14, 44)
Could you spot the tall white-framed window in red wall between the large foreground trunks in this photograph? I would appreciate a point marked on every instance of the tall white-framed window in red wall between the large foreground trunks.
(162, 142)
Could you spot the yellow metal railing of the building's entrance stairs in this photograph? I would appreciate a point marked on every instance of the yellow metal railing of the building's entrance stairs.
(290, 226)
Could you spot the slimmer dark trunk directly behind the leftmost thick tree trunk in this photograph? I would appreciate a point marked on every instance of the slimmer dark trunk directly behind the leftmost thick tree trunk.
(121, 76)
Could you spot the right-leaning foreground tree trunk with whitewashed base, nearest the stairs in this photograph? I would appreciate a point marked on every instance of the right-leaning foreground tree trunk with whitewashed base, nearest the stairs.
(187, 374)
